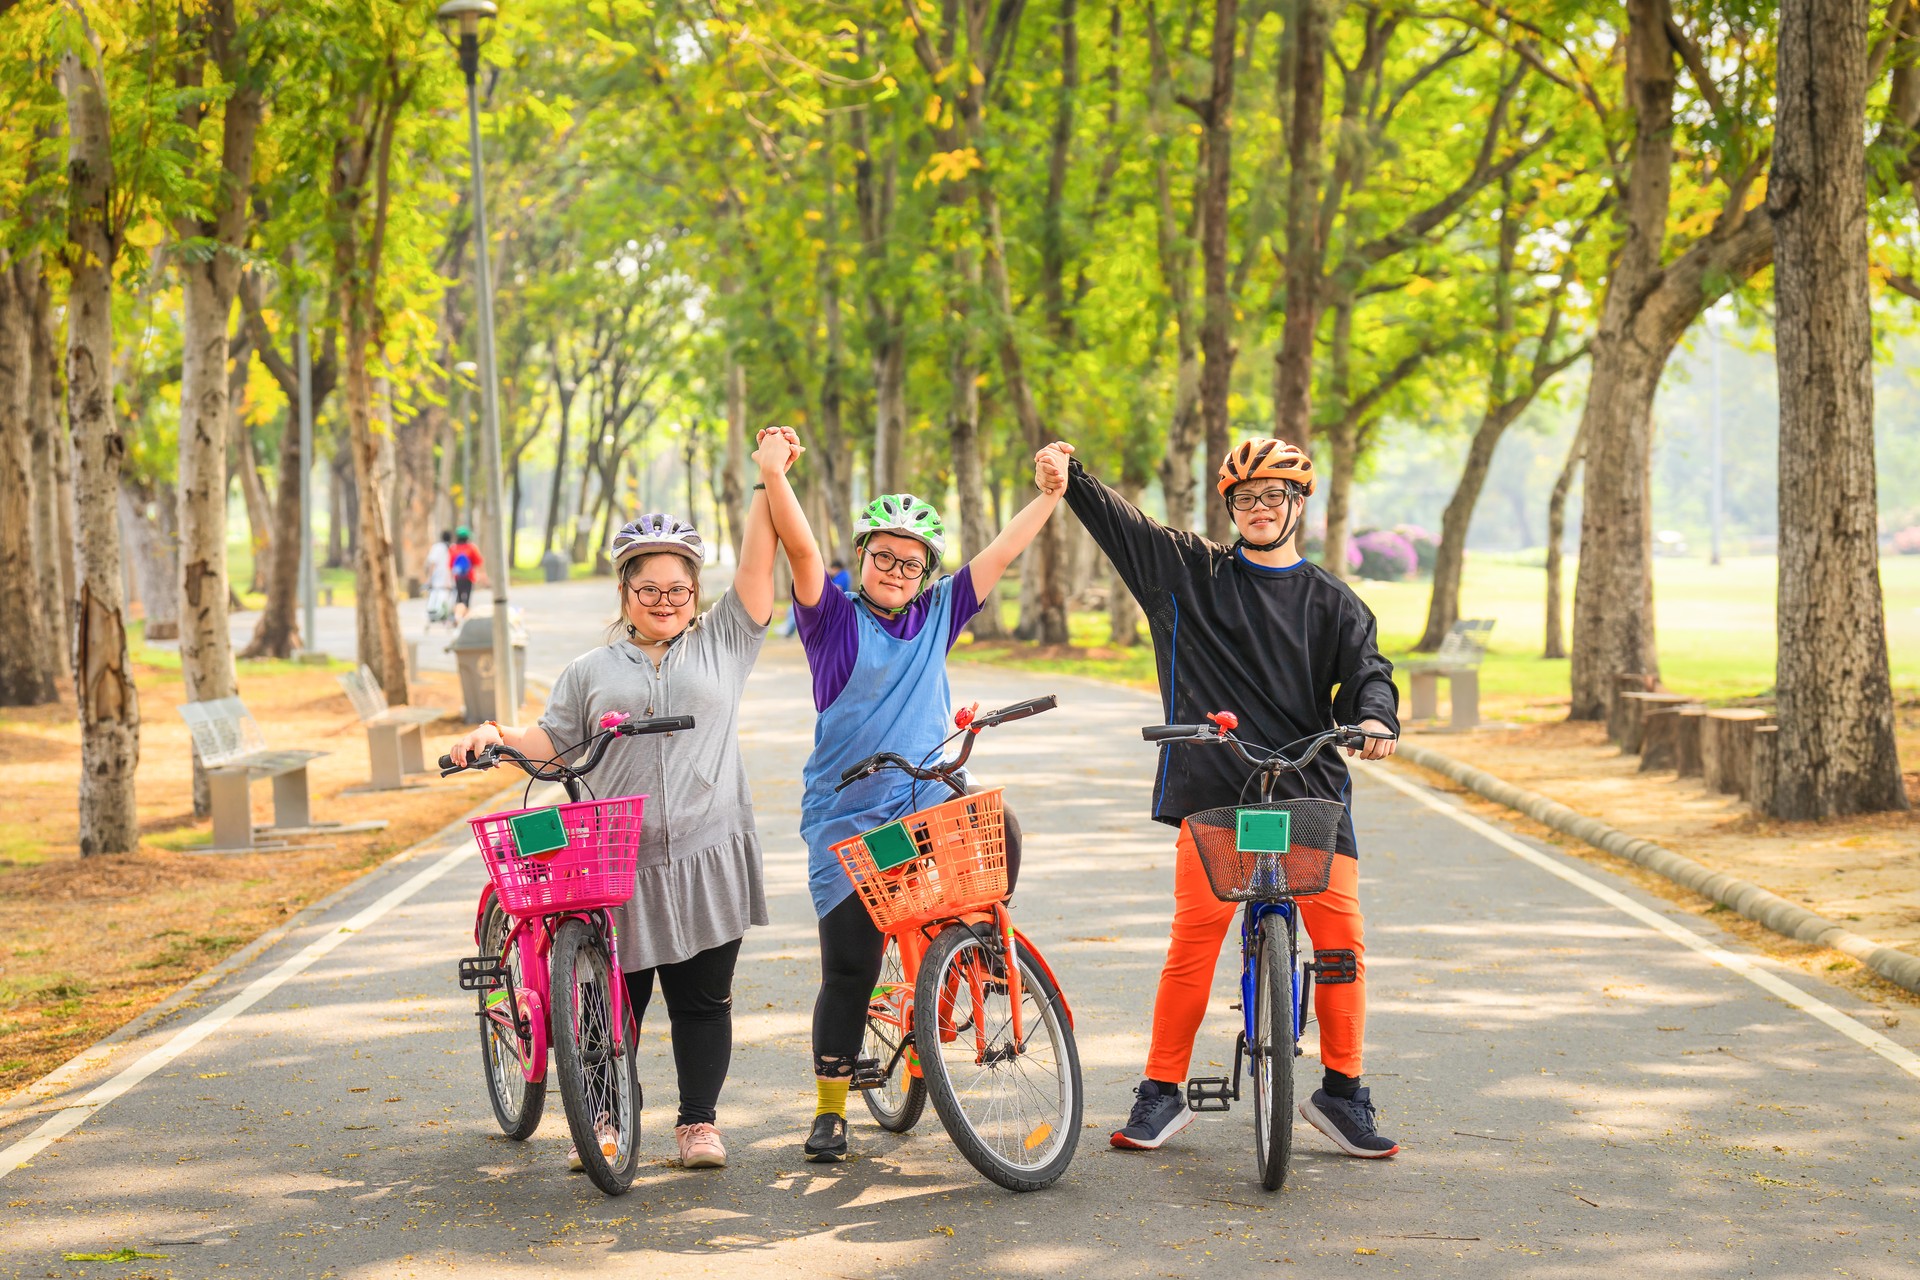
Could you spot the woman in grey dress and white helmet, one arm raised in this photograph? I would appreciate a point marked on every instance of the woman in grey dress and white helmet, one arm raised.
(700, 882)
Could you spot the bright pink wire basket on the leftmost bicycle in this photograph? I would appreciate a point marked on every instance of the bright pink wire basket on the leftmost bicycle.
(594, 870)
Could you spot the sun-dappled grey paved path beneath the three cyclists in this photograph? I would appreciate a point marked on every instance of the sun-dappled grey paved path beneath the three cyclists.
(1579, 1089)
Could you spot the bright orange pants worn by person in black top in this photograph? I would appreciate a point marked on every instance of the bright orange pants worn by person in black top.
(1201, 926)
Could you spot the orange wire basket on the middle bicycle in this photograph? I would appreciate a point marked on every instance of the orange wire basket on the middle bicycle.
(959, 865)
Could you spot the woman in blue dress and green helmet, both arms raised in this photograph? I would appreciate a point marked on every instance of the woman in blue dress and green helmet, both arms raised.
(880, 684)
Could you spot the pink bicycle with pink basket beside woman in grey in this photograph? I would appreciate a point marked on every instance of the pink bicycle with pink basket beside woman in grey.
(548, 972)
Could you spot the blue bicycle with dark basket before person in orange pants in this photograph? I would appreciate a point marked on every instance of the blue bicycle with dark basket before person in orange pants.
(1266, 855)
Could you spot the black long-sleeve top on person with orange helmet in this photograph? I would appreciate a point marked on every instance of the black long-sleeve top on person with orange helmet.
(1289, 652)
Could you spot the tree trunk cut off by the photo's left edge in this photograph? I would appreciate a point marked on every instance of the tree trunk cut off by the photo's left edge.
(26, 676)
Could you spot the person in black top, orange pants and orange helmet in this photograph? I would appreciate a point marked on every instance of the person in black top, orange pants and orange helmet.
(1257, 630)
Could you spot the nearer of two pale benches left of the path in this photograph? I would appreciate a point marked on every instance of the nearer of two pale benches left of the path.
(235, 755)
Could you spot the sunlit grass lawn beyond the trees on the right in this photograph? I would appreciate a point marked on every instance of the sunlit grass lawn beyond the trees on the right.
(1716, 630)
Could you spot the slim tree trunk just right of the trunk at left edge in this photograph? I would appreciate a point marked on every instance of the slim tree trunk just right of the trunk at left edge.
(53, 523)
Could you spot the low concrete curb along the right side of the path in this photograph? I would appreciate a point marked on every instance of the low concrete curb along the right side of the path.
(1748, 899)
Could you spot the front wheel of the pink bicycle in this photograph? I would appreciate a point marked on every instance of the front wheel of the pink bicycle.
(600, 1089)
